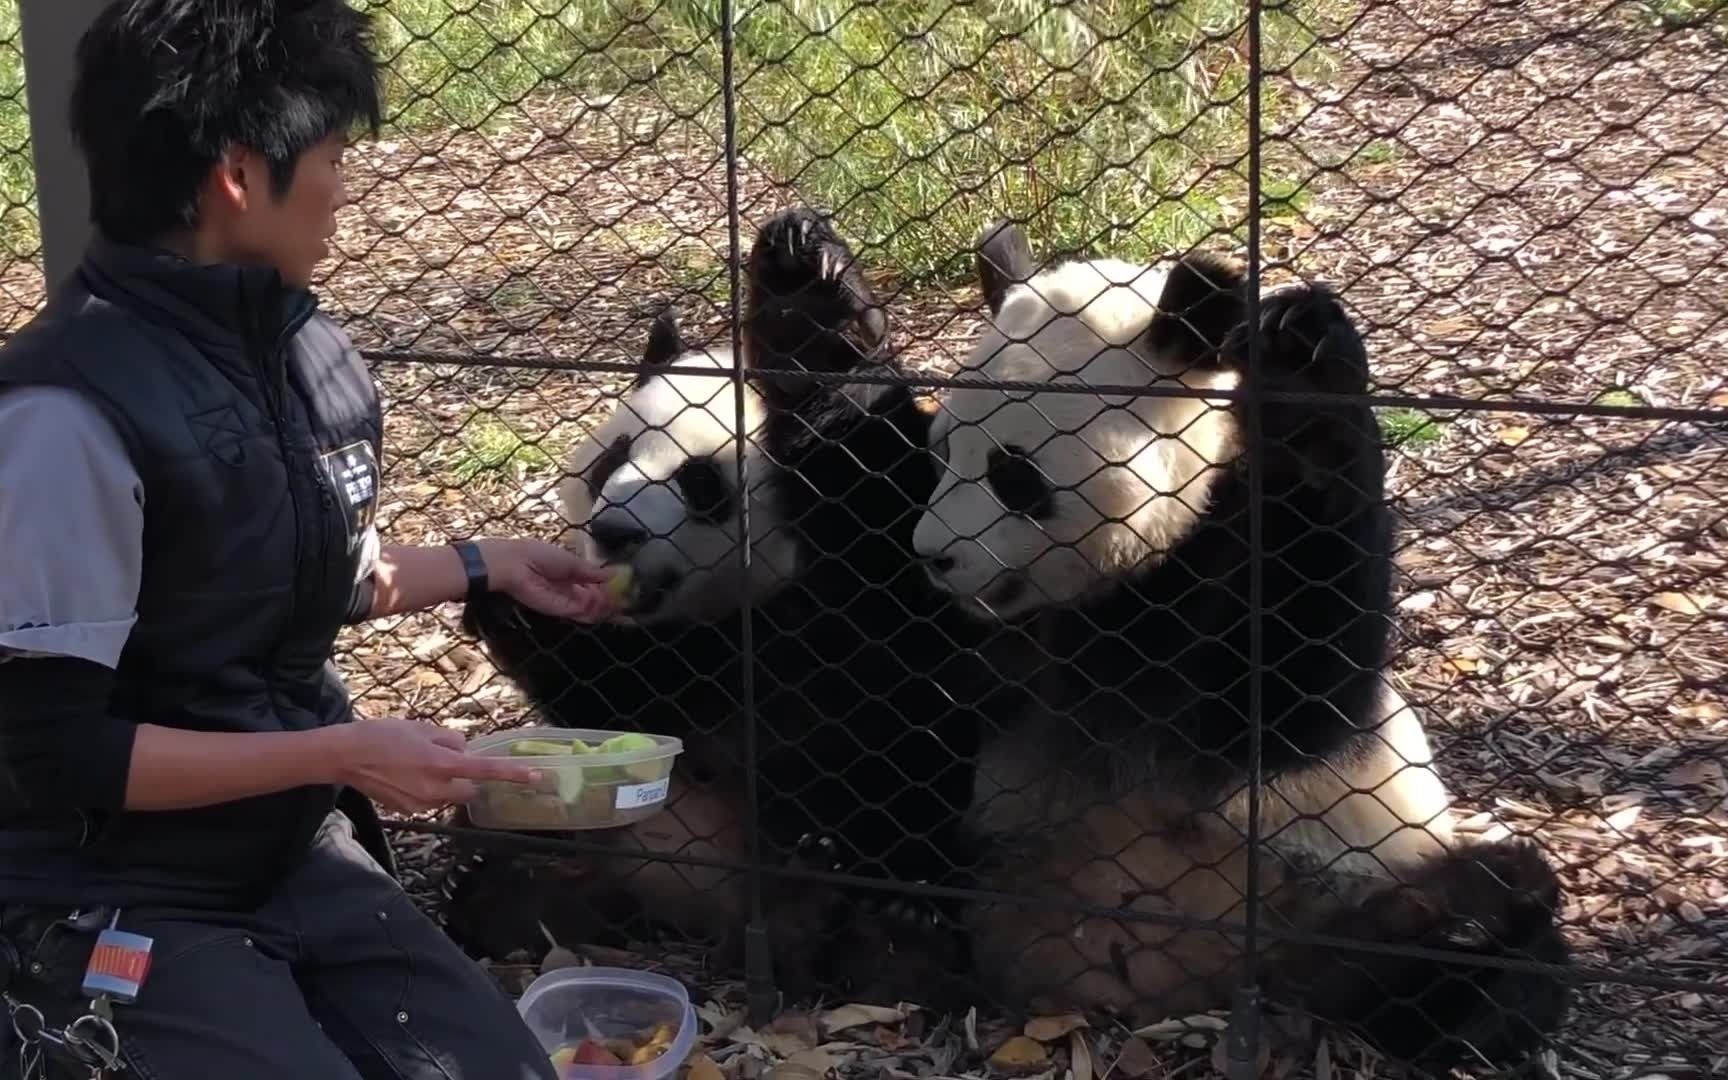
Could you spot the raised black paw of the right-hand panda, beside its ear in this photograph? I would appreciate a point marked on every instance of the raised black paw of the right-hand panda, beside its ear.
(1307, 341)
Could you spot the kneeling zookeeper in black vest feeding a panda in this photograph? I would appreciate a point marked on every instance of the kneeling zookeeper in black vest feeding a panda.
(189, 471)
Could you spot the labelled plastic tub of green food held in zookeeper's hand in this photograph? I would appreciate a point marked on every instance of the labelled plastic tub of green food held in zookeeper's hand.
(576, 791)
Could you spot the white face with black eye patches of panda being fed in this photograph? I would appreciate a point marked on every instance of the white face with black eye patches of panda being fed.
(658, 488)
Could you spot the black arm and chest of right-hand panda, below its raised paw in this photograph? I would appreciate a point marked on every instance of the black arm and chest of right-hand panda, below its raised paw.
(1172, 683)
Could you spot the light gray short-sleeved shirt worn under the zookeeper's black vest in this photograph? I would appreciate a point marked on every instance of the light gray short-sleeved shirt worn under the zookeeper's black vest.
(72, 530)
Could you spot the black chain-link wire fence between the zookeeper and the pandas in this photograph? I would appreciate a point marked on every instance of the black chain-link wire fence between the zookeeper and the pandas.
(1522, 208)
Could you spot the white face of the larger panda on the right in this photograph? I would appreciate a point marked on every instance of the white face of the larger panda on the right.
(1048, 493)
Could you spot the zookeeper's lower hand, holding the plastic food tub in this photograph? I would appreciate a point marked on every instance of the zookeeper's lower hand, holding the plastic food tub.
(412, 766)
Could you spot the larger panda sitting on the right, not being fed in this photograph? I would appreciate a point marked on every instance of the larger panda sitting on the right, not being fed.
(1109, 538)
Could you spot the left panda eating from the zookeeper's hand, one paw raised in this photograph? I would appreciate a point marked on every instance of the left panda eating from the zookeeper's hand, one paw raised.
(861, 751)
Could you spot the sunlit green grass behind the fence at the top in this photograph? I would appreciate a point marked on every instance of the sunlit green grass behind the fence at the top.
(1103, 124)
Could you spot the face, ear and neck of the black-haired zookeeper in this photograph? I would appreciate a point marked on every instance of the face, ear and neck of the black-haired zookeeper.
(250, 224)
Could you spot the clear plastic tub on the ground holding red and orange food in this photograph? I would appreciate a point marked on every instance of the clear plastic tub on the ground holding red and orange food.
(571, 1005)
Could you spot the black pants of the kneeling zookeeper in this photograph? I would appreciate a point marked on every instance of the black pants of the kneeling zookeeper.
(340, 977)
